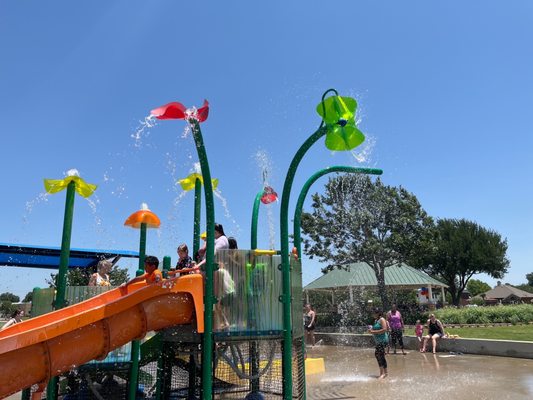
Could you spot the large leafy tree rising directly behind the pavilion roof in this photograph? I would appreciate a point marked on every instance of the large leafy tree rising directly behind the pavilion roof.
(359, 220)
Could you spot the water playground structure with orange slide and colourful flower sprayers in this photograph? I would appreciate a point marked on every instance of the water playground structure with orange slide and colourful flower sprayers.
(215, 339)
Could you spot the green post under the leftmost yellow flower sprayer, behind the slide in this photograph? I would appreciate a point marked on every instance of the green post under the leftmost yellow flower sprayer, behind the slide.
(51, 391)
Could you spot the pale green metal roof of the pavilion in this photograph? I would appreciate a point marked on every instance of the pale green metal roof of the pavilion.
(361, 274)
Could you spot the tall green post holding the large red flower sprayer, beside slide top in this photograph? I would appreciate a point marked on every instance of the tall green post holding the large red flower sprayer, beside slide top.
(209, 299)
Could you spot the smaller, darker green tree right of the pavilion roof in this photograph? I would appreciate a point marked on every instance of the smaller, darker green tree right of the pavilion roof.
(462, 249)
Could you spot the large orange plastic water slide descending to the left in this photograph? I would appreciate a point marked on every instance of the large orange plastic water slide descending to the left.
(35, 350)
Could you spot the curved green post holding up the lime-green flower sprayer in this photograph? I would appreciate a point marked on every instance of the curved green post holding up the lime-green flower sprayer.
(285, 261)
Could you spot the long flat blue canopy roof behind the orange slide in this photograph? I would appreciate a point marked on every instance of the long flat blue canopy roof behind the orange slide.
(20, 255)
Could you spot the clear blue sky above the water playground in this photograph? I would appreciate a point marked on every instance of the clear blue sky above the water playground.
(445, 92)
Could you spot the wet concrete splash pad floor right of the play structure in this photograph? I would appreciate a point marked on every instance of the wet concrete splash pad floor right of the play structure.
(351, 374)
